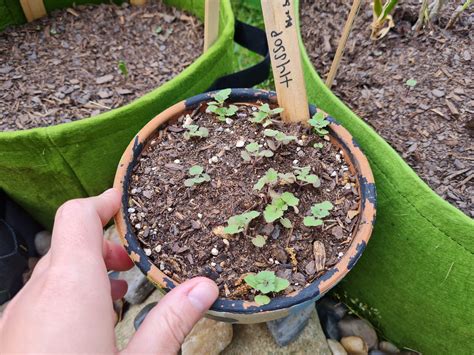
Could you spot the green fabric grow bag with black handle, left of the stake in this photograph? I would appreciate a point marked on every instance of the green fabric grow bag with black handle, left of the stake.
(43, 167)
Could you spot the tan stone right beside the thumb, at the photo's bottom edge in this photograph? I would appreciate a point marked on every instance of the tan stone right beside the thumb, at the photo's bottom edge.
(207, 337)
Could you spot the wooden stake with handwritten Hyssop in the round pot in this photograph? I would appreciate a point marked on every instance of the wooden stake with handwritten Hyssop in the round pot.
(282, 37)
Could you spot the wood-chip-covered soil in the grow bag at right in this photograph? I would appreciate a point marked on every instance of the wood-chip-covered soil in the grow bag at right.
(431, 124)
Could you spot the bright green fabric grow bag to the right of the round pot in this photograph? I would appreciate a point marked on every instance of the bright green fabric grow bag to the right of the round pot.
(418, 269)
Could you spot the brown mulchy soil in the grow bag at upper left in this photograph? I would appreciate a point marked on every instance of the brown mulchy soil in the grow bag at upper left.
(66, 67)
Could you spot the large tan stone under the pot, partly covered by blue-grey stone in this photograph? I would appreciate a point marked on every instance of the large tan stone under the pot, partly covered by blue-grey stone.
(256, 339)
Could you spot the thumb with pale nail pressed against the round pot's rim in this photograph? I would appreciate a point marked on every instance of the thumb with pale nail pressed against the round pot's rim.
(172, 319)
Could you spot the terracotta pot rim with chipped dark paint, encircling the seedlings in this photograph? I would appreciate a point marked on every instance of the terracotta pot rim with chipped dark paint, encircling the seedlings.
(239, 311)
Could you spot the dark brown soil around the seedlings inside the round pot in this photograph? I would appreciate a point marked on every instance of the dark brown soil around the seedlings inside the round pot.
(177, 225)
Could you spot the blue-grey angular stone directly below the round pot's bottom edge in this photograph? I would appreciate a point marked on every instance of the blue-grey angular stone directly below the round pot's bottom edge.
(286, 330)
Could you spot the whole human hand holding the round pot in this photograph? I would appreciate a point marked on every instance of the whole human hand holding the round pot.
(67, 307)
